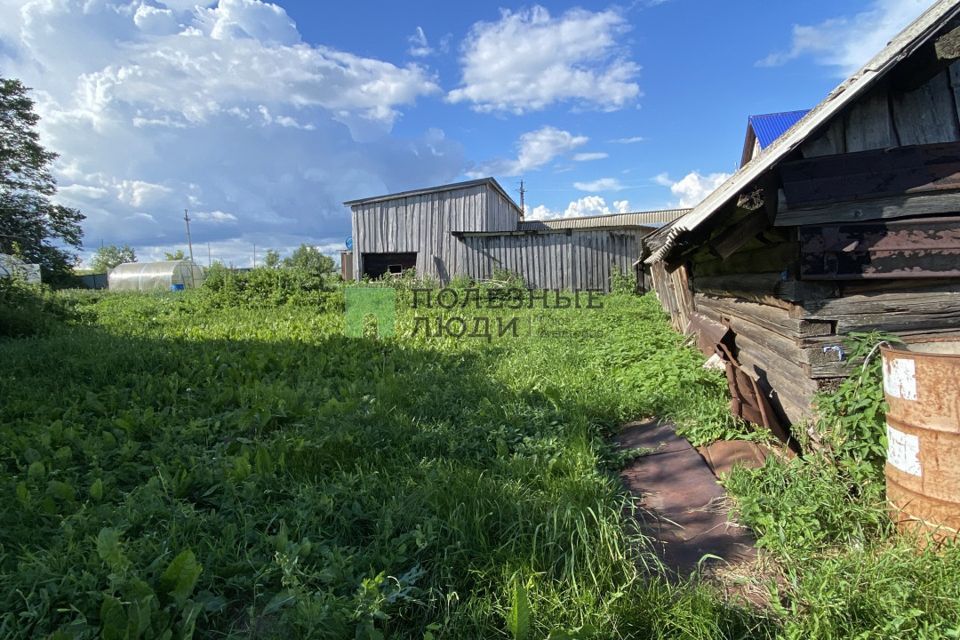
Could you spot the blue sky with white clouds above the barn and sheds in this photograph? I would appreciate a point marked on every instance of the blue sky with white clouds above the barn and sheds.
(262, 118)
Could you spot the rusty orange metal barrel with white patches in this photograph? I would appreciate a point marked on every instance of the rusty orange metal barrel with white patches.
(921, 382)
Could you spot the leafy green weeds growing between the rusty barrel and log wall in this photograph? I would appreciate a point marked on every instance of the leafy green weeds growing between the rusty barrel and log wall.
(834, 496)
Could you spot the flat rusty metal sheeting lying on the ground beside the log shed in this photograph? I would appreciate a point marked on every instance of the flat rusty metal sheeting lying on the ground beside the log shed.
(682, 507)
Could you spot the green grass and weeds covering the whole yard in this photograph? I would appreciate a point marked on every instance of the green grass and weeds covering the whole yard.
(224, 465)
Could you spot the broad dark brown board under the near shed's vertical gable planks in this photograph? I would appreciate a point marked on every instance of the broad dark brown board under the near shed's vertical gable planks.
(868, 175)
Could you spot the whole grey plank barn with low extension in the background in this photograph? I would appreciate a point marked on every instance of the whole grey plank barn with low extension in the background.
(473, 229)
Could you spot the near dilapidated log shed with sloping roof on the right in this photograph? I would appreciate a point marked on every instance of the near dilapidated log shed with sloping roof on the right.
(847, 222)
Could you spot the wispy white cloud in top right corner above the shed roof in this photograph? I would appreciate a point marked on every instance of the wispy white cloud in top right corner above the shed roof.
(848, 42)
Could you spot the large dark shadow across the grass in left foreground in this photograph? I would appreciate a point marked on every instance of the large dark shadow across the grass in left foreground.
(327, 486)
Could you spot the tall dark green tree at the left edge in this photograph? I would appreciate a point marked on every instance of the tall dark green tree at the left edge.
(31, 224)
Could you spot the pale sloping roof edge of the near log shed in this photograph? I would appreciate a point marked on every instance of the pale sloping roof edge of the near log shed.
(905, 43)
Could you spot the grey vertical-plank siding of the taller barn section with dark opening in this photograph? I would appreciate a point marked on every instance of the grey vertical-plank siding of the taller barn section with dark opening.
(425, 224)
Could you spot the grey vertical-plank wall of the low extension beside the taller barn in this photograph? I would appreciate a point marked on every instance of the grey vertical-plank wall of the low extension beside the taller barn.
(579, 260)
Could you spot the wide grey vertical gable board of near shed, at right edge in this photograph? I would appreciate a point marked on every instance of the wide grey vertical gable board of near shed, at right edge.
(926, 114)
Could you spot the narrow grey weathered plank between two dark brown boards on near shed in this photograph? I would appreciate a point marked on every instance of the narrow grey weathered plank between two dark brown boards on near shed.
(905, 206)
